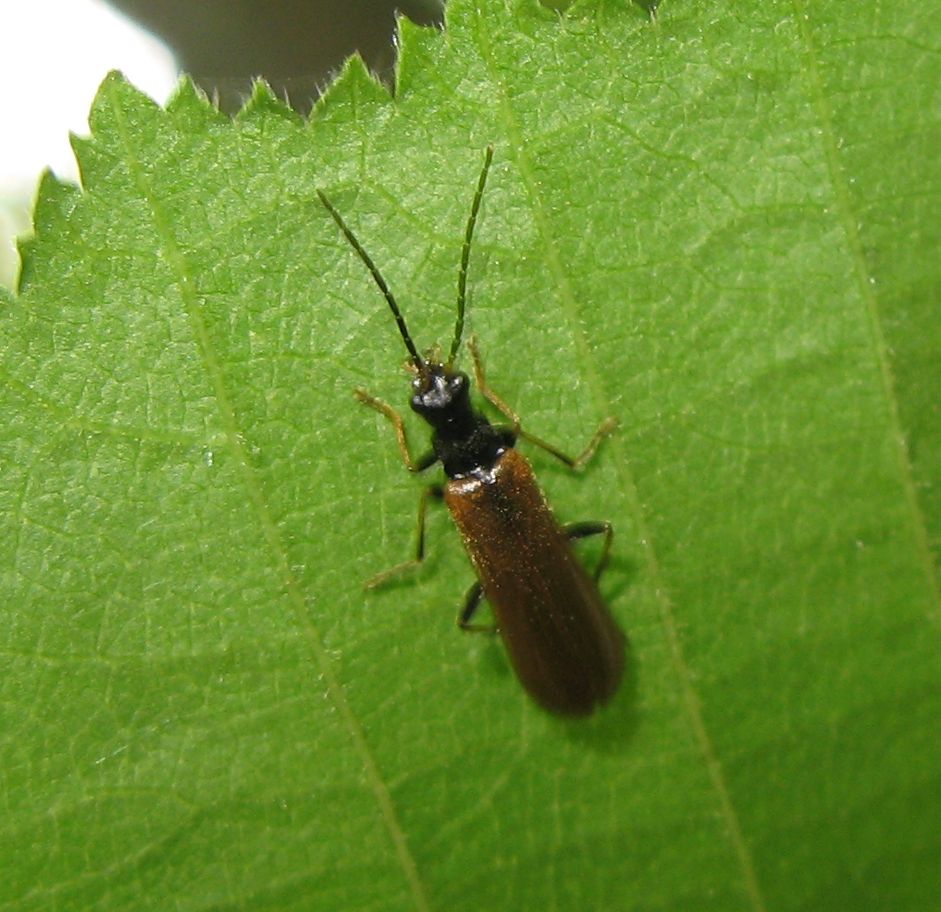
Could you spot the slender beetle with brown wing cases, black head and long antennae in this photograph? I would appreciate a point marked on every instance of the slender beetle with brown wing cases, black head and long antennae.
(563, 643)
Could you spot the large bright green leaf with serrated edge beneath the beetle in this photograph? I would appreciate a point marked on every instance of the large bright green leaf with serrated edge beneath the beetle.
(721, 227)
